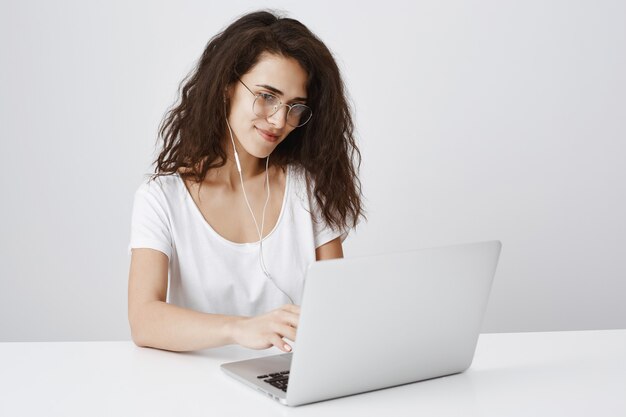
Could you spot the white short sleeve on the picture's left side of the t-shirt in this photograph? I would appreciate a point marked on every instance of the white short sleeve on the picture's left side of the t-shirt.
(150, 225)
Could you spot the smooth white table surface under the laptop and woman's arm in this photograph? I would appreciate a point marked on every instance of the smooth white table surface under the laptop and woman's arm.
(579, 373)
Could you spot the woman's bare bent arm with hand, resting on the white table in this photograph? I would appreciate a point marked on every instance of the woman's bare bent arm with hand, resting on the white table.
(155, 323)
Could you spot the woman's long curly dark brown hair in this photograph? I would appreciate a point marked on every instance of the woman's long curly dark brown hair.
(194, 130)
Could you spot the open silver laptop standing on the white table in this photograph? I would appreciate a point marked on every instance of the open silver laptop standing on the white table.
(380, 321)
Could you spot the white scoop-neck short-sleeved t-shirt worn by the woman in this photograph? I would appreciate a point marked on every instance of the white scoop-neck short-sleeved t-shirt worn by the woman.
(211, 274)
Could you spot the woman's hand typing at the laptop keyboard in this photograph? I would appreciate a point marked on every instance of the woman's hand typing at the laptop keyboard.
(267, 330)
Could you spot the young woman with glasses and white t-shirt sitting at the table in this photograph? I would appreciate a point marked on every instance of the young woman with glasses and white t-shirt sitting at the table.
(257, 178)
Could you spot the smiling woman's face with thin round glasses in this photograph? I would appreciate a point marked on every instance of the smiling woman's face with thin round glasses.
(279, 76)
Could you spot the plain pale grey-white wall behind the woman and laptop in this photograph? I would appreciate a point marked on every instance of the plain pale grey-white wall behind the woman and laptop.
(477, 120)
